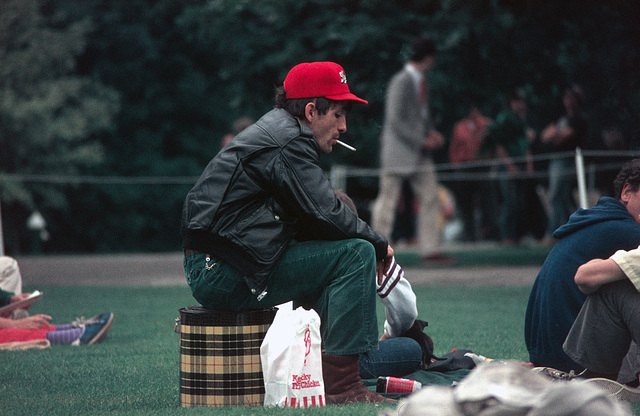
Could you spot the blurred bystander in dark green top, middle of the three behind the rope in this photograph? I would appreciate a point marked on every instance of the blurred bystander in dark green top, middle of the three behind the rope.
(509, 138)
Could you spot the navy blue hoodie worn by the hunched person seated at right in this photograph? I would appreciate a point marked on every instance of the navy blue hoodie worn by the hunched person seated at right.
(555, 301)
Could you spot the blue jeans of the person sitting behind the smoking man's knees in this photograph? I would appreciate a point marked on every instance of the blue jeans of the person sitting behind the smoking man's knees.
(396, 357)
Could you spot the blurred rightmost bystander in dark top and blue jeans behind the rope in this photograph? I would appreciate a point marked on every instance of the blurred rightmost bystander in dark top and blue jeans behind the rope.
(563, 136)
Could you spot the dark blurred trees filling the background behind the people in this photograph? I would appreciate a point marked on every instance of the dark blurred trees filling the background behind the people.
(141, 88)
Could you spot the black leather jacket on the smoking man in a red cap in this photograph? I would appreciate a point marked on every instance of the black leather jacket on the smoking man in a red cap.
(260, 192)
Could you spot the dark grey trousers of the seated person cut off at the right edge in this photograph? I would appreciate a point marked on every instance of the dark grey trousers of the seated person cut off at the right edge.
(605, 334)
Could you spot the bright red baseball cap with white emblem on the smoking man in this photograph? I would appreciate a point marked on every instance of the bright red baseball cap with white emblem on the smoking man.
(318, 79)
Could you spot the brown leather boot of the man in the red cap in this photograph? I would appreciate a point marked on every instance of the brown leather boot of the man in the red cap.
(342, 383)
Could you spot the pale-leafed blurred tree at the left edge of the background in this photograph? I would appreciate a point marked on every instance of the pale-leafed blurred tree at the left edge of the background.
(50, 117)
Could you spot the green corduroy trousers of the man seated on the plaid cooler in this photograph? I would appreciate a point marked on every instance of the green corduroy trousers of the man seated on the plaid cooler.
(336, 278)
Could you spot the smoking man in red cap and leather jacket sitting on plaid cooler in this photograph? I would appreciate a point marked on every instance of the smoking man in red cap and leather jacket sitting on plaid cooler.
(260, 194)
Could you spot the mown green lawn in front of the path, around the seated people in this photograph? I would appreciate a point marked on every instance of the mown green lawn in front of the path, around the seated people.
(135, 369)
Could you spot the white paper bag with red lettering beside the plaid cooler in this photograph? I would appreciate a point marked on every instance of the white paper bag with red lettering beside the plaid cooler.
(291, 359)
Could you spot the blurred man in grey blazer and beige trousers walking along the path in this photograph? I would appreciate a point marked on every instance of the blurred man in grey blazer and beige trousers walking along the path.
(407, 140)
